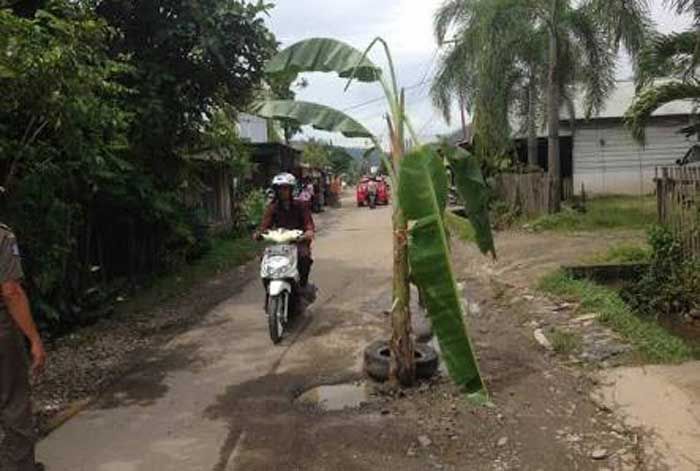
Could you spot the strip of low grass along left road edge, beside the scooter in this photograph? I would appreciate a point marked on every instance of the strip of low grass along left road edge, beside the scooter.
(226, 253)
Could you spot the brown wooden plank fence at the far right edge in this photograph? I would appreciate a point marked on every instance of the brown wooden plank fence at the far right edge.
(678, 204)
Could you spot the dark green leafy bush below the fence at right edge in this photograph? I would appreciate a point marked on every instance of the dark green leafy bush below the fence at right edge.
(671, 286)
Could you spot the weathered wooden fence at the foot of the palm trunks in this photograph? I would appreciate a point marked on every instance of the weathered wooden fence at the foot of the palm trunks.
(530, 192)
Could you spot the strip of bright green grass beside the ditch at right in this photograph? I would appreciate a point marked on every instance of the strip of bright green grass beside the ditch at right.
(655, 344)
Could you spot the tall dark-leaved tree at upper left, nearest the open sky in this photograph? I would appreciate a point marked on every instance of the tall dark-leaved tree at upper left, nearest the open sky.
(188, 56)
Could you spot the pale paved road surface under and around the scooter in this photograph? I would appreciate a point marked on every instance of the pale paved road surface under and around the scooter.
(183, 409)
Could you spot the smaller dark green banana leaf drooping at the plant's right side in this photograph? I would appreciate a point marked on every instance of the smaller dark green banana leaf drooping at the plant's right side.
(473, 192)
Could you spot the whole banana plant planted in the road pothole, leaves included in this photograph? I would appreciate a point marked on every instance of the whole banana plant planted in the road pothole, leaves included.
(421, 251)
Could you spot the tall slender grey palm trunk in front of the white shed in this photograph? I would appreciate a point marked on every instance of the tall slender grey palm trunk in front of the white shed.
(553, 111)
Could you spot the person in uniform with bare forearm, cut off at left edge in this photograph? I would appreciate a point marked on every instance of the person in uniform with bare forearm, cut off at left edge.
(16, 323)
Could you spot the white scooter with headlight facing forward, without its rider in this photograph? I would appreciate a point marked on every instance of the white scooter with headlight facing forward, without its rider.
(280, 275)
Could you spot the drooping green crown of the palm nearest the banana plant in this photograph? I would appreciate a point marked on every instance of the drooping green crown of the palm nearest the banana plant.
(486, 68)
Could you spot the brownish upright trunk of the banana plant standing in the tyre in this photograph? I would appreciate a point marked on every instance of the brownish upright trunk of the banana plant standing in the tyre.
(402, 370)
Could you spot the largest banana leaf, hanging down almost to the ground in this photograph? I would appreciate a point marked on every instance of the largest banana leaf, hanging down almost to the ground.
(422, 197)
